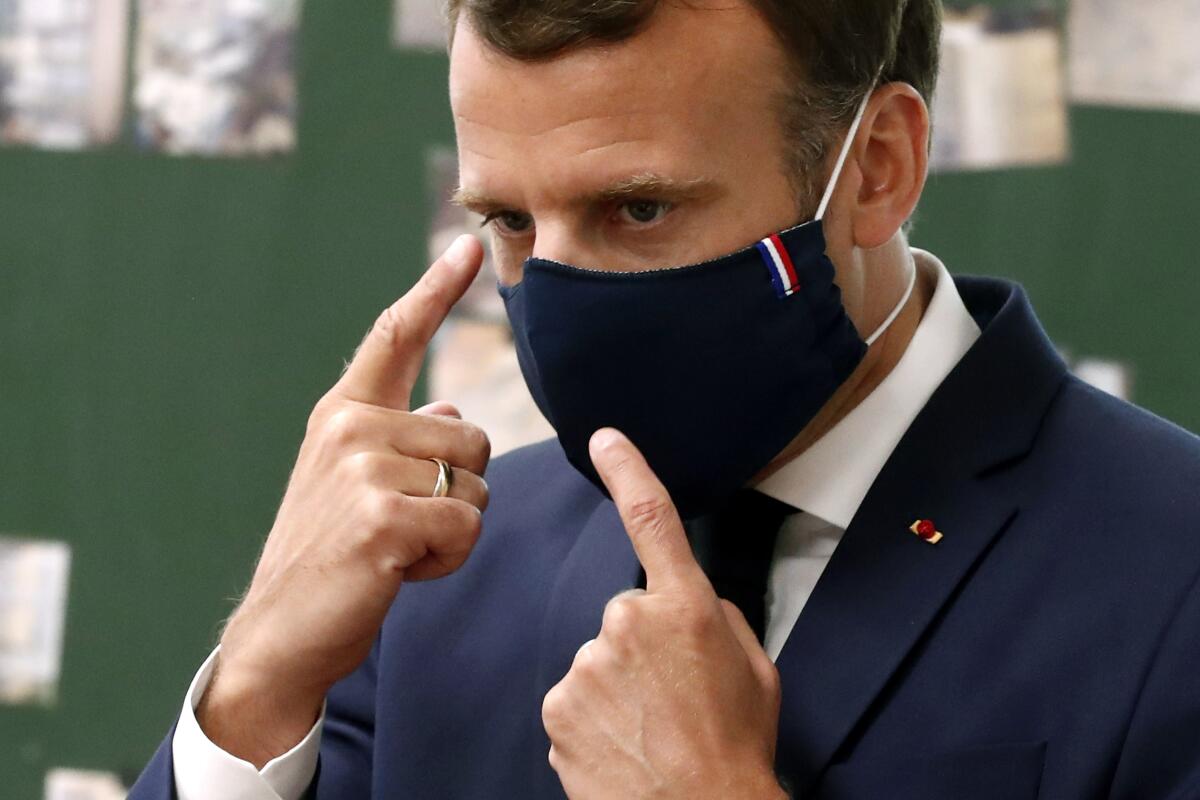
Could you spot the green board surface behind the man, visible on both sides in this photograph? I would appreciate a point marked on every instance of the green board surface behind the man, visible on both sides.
(167, 324)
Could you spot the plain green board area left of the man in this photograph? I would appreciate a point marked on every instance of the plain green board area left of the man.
(166, 327)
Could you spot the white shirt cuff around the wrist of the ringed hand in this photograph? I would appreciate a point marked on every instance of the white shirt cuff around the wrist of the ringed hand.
(205, 772)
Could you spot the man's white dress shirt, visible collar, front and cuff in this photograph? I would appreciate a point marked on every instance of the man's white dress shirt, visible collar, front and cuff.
(827, 482)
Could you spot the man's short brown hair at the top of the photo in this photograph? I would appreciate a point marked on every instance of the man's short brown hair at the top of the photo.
(838, 50)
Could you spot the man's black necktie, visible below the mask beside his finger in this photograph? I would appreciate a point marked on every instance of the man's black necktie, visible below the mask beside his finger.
(735, 548)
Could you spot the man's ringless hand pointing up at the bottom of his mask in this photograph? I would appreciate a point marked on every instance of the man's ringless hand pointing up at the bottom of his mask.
(675, 699)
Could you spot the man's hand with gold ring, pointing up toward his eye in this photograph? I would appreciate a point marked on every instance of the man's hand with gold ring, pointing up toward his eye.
(357, 520)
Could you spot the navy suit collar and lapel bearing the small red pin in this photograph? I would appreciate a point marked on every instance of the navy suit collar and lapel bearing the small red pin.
(885, 587)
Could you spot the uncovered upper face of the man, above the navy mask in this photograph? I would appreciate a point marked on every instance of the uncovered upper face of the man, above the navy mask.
(662, 151)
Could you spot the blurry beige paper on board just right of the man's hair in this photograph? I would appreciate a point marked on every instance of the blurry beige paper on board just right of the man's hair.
(1001, 93)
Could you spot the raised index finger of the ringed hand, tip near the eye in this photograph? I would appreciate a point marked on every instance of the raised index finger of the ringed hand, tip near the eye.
(388, 362)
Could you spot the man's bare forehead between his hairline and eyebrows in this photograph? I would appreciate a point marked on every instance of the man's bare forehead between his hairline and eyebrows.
(699, 83)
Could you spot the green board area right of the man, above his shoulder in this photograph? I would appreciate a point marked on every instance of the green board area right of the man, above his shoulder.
(1103, 244)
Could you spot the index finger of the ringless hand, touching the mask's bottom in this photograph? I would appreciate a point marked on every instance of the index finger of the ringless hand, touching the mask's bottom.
(650, 516)
